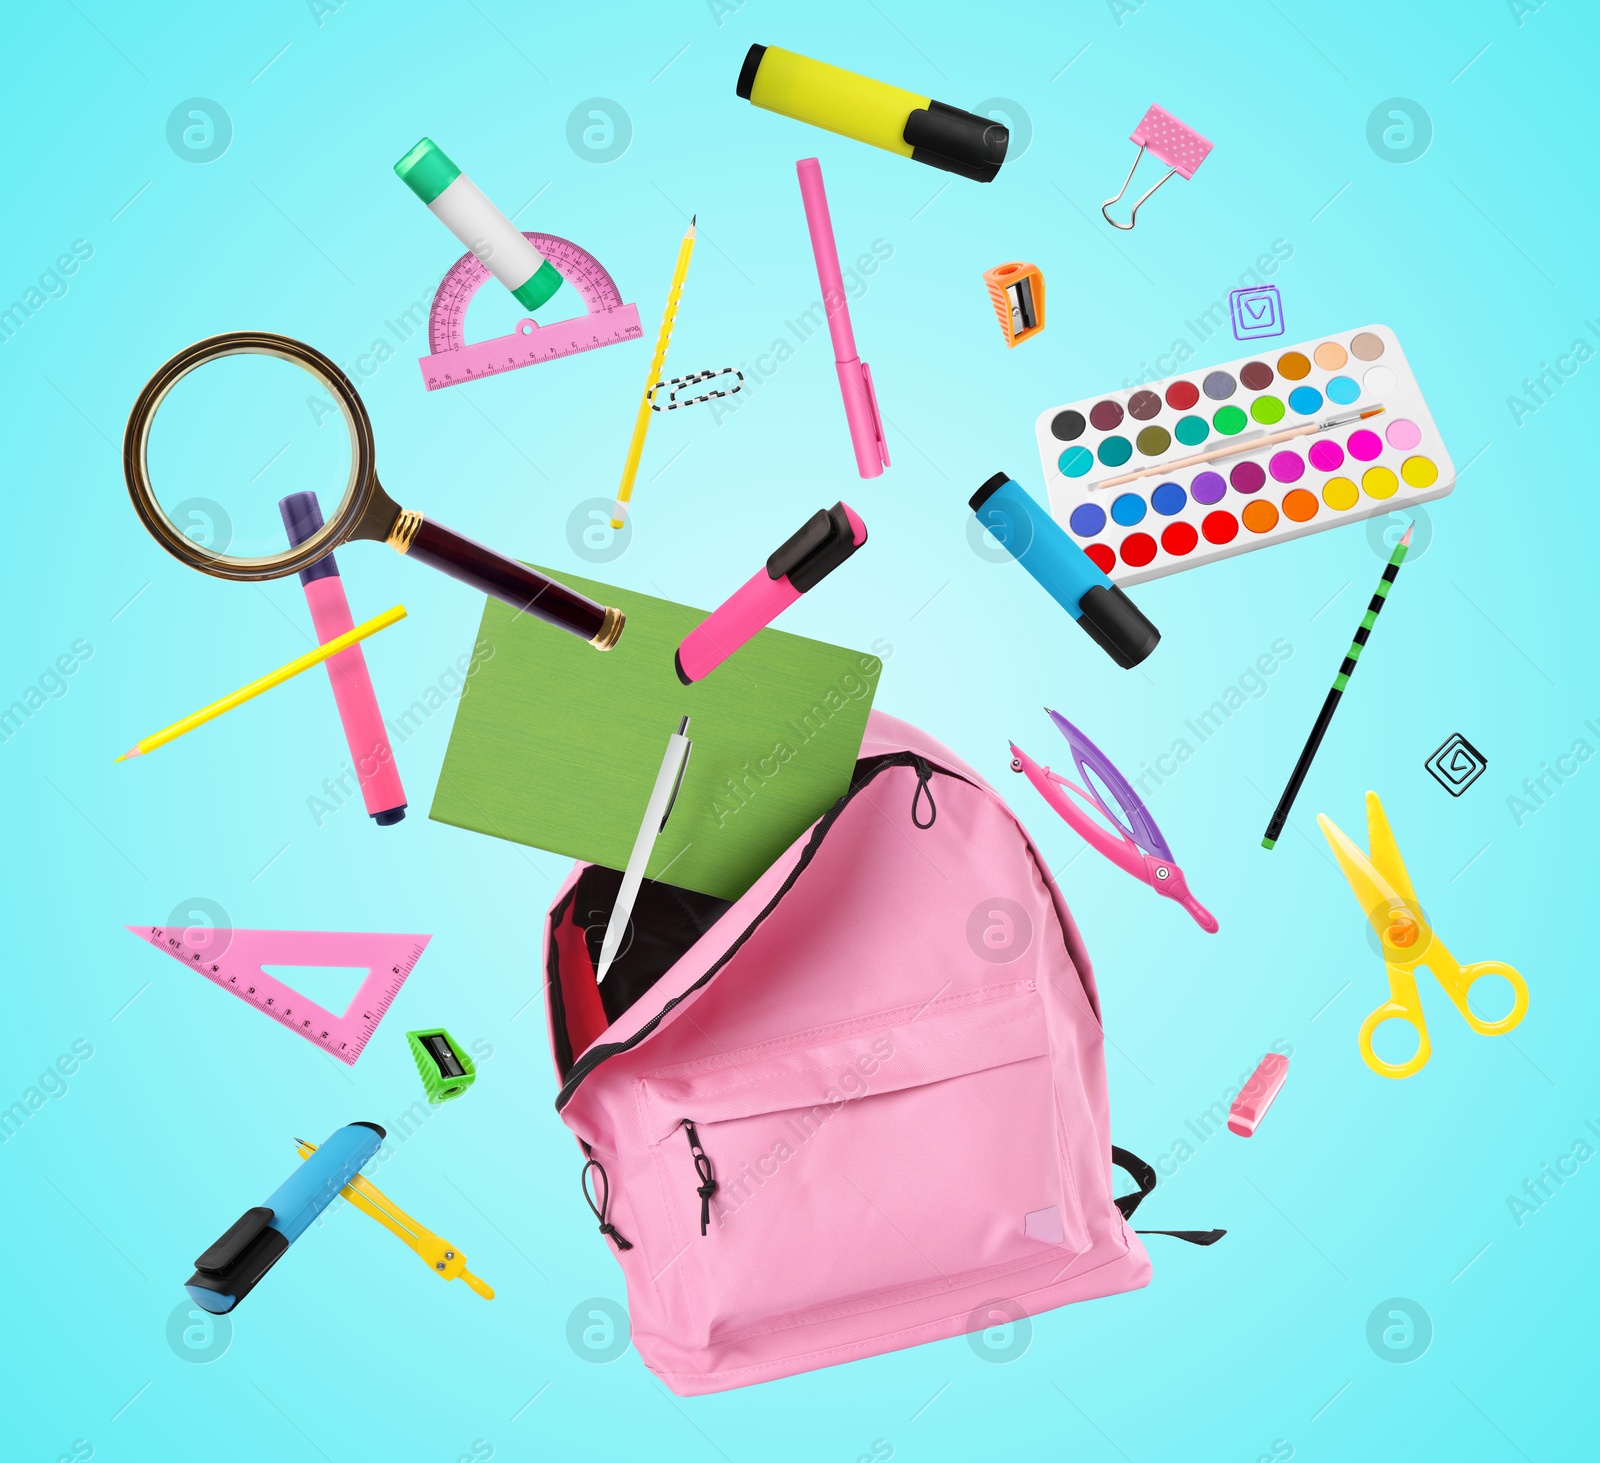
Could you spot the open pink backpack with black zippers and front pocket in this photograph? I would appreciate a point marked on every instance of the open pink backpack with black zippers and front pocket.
(860, 1108)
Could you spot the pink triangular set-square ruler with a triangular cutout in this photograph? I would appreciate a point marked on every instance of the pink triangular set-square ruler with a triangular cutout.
(233, 960)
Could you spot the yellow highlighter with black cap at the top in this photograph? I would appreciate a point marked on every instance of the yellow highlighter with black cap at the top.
(889, 118)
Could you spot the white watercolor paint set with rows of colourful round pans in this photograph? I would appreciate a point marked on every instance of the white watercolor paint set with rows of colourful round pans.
(1270, 447)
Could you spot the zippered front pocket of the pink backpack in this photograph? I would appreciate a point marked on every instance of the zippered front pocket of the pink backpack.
(862, 1164)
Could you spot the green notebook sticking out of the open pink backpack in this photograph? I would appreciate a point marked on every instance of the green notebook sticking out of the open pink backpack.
(558, 745)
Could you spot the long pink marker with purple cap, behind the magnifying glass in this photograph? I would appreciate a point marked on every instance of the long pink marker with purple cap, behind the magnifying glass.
(353, 687)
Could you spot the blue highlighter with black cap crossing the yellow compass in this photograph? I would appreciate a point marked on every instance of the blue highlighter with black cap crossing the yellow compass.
(230, 1270)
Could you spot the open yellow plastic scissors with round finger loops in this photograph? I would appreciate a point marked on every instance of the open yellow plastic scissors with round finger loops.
(1385, 892)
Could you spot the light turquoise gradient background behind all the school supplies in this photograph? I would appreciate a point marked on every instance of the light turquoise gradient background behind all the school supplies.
(1354, 1192)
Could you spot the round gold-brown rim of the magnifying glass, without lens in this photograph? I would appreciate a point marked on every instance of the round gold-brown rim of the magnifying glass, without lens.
(137, 470)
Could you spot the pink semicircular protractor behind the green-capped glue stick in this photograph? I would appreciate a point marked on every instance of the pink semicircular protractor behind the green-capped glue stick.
(454, 361)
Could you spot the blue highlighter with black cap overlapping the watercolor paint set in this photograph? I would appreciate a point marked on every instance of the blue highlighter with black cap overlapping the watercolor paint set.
(1068, 574)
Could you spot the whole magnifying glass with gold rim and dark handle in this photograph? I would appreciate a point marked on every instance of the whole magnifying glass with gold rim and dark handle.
(210, 452)
